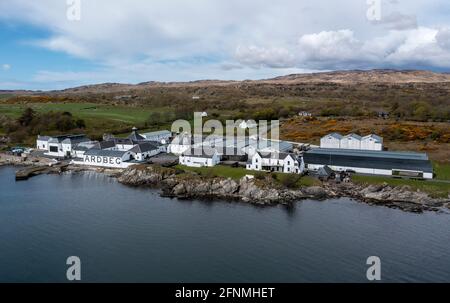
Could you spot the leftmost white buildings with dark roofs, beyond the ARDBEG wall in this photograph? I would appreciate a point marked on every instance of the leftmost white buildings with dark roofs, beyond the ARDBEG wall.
(60, 146)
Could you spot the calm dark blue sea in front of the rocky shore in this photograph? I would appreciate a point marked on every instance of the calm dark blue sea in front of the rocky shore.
(124, 234)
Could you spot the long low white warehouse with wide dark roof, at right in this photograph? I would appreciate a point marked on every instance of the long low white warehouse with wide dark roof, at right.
(400, 164)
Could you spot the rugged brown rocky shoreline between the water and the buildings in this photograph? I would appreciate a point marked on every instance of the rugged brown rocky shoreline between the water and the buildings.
(178, 184)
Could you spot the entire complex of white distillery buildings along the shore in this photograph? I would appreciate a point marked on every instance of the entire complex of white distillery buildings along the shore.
(350, 153)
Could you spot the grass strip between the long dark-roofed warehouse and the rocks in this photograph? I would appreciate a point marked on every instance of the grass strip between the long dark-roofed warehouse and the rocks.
(434, 188)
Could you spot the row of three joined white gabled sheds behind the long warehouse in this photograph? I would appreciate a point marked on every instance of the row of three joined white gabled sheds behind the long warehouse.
(352, 141)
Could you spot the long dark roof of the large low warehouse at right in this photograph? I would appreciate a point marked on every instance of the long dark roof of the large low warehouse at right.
(369, 159)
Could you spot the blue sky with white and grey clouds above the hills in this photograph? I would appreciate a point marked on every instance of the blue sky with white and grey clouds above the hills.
(51, 44)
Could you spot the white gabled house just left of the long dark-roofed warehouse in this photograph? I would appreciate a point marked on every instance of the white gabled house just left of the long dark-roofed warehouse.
(276, 162)
